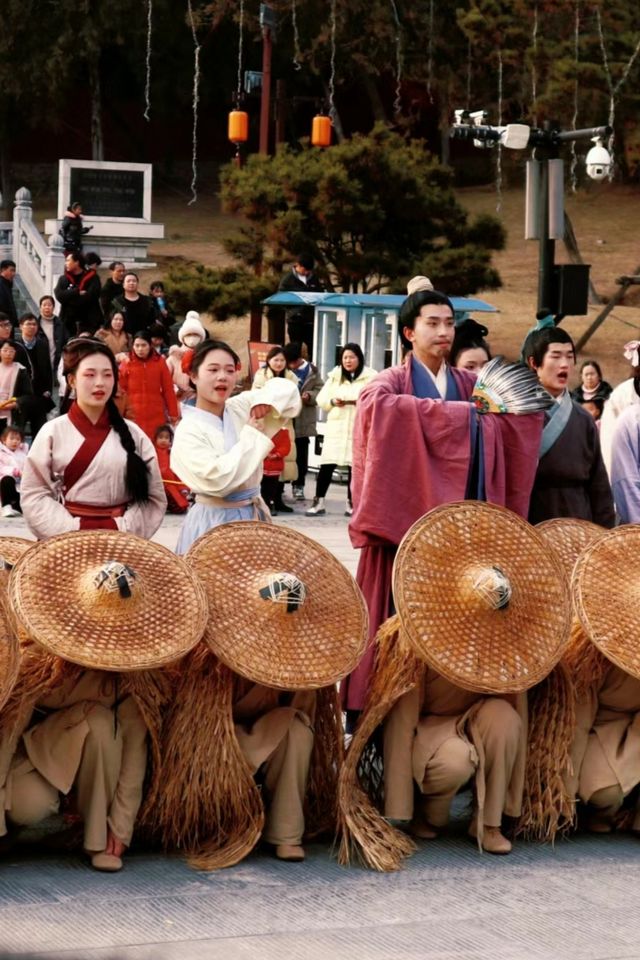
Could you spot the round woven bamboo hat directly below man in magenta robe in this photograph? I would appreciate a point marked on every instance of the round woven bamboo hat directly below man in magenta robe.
(481, 597)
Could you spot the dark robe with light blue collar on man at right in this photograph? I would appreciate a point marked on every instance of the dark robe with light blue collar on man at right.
(571, 480)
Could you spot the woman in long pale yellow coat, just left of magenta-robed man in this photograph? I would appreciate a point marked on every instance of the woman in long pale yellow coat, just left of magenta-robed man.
(339, 396)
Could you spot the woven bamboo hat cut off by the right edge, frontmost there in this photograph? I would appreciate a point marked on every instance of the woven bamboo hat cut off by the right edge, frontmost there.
(606, 595)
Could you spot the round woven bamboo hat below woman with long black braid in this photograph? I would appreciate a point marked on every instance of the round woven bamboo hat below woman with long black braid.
(107, 600)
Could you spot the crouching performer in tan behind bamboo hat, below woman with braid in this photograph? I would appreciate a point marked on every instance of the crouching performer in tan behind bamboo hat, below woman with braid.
(76, 728)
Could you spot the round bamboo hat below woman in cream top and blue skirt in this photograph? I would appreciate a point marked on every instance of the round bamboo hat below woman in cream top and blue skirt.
(283, 611)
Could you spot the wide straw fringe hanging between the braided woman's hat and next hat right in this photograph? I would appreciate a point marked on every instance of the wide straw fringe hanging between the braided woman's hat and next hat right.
(208, 804)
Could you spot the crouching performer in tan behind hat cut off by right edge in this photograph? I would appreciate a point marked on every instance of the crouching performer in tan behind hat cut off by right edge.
(606, 743)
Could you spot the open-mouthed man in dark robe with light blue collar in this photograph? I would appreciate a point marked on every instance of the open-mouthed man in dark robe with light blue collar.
(571, 480)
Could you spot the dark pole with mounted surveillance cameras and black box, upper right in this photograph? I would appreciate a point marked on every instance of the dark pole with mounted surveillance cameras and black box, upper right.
(561, 289)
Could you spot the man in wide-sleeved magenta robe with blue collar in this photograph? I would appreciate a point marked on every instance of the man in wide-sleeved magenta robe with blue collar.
(419, 443)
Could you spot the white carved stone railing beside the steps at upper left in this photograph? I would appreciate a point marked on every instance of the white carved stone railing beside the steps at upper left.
(38, 263)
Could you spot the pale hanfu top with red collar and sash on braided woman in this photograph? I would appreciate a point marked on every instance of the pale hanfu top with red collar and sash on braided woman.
(74, 479)
